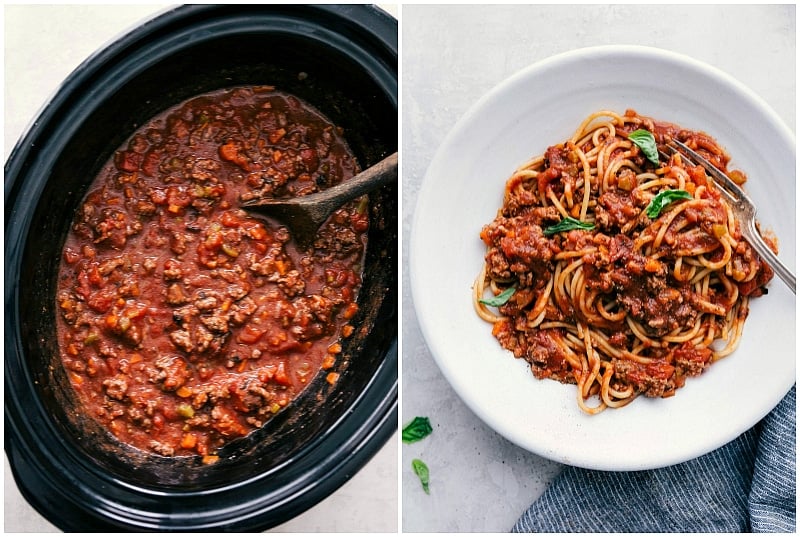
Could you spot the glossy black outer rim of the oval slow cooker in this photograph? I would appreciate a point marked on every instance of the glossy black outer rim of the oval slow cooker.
(316, 471)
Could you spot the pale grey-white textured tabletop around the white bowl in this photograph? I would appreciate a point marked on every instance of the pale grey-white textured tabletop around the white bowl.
(453, 55)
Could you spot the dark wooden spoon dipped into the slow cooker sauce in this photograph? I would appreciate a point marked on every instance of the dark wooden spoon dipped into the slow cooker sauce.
(304, 215)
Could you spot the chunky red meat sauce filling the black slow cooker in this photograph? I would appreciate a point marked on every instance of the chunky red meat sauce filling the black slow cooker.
(185, 323)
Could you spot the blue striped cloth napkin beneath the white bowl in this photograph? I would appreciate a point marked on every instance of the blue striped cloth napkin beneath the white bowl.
(747, 485)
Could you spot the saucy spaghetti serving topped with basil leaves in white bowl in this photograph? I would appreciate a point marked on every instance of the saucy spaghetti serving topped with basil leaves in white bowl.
(616, 269)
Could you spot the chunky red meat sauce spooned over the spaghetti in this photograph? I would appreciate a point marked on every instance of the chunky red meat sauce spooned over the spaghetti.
(644, 287)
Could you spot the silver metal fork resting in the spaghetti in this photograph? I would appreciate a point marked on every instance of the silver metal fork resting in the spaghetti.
(742, 207)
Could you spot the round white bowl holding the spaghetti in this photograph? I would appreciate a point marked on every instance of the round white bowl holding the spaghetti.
(462, 190)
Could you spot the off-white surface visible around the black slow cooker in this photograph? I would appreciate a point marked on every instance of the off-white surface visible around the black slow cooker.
(43, 44)
